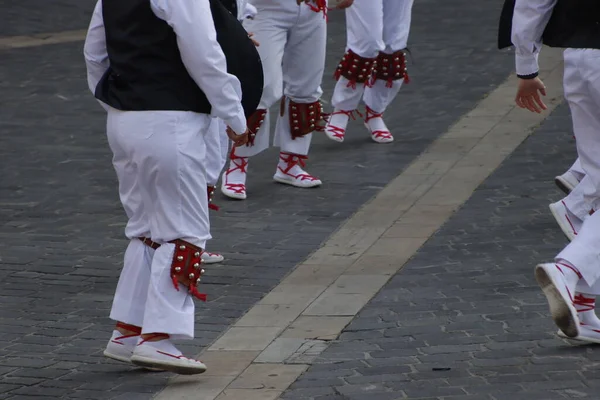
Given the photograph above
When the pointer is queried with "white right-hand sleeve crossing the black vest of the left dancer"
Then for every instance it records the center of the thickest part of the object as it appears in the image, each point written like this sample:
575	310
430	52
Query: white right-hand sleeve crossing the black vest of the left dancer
203	57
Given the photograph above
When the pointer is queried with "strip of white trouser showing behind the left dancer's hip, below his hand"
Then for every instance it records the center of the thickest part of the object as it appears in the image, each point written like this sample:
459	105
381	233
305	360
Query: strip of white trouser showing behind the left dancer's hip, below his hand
217	145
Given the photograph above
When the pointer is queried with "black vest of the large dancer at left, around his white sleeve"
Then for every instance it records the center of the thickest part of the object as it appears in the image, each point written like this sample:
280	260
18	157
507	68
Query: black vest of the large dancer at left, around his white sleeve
146	72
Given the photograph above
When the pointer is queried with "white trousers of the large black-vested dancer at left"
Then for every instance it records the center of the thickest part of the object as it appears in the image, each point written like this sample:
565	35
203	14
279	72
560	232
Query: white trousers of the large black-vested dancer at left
159	159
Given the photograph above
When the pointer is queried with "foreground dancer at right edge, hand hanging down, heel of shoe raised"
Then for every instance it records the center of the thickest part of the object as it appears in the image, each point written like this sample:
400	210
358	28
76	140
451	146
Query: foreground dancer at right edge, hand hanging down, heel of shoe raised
576	27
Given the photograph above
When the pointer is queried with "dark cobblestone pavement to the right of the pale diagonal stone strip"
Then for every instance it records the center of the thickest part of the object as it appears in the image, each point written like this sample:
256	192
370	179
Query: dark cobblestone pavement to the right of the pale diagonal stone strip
464	319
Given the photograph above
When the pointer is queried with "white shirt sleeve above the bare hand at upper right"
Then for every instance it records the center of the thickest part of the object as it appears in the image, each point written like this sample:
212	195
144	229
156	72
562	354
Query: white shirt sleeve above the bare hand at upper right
529	21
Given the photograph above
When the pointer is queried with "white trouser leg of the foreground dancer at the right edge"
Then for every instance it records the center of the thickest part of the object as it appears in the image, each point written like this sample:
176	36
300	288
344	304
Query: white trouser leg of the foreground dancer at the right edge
582	91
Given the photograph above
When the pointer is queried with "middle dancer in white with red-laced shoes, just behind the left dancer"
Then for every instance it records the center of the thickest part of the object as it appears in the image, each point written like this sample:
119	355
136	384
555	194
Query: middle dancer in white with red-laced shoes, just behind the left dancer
292	37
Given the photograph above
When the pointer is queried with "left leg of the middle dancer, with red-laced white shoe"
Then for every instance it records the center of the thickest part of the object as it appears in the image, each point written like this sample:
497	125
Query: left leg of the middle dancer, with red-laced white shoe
272	38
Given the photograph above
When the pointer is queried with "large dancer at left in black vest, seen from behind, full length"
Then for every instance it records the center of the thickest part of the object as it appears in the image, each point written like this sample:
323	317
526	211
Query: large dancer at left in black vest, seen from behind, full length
158	70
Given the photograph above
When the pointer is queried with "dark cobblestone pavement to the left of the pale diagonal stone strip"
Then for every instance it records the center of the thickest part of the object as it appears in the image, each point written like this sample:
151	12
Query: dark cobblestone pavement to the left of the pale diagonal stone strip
61	224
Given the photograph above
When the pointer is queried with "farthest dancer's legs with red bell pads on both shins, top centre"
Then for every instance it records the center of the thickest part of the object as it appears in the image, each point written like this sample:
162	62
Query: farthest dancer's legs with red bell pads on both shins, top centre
374	66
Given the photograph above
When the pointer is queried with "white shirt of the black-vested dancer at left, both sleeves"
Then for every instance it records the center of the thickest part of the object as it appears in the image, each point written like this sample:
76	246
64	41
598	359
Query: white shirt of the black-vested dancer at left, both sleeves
191	20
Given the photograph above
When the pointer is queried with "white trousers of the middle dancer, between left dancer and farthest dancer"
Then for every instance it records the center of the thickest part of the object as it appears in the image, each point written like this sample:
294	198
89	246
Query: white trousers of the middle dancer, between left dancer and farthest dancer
292	41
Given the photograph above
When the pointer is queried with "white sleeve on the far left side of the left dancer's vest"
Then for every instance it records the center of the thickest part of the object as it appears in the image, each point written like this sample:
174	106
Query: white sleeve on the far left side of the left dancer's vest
94	49
